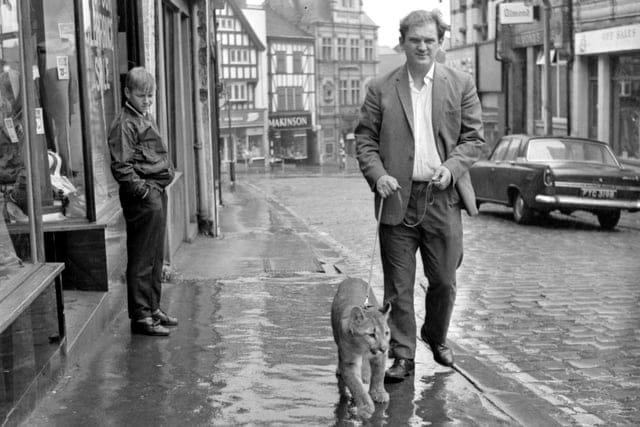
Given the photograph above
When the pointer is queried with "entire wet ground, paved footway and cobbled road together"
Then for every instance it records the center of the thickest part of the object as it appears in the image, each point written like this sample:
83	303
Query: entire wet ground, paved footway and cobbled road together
545	328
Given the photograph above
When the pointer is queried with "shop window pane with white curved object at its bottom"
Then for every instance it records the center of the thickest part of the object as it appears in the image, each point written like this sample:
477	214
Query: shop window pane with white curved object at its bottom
58	126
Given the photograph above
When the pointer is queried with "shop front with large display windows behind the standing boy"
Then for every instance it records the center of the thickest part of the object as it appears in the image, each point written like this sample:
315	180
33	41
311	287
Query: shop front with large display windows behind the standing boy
62	228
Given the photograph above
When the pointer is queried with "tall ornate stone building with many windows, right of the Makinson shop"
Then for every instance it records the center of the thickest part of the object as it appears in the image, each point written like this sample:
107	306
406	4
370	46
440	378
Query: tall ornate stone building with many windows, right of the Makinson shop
346	45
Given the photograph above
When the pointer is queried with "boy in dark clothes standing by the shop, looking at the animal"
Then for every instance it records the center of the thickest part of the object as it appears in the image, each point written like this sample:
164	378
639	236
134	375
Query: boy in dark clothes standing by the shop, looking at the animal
141	165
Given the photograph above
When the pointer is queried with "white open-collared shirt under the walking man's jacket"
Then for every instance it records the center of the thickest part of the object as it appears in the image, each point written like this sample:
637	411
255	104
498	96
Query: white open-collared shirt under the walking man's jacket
426	157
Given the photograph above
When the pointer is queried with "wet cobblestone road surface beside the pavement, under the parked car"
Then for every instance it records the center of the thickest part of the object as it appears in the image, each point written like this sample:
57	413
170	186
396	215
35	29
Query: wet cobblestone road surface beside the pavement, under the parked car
554	306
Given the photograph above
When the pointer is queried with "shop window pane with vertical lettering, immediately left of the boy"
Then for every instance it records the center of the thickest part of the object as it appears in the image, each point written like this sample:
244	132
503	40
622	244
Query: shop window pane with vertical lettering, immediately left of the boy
101	87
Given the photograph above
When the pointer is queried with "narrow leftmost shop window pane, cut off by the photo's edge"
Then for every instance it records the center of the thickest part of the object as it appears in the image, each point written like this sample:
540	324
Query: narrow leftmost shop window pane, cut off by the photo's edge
15	248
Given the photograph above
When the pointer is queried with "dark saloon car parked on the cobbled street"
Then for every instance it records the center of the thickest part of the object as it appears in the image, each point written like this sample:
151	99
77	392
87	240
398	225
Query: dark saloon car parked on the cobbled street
540	174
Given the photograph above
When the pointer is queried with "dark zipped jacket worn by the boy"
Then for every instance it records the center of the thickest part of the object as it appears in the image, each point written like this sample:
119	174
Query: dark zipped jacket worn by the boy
139	157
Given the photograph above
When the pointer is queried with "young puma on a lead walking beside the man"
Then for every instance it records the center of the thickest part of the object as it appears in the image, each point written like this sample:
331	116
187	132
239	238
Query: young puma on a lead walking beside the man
362	336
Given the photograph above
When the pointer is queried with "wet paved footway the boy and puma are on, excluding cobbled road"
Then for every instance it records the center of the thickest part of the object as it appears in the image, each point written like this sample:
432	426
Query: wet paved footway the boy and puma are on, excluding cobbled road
254	345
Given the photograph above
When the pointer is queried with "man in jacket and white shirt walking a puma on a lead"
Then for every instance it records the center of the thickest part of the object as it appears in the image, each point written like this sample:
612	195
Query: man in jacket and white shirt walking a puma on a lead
419	132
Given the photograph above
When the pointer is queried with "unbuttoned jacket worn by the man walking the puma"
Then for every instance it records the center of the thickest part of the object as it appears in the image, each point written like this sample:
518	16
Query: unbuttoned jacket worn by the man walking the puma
385	142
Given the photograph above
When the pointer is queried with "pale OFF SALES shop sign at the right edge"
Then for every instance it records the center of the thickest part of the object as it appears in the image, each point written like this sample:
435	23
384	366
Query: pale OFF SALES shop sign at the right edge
613	39
